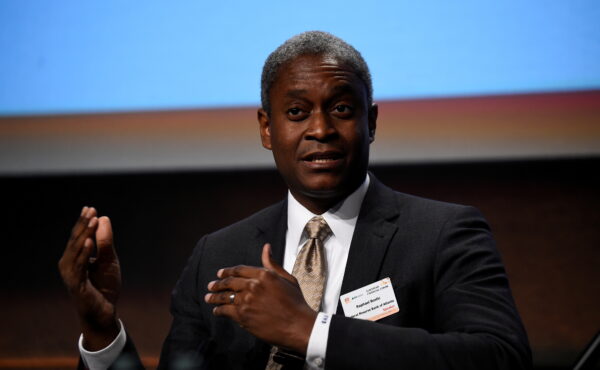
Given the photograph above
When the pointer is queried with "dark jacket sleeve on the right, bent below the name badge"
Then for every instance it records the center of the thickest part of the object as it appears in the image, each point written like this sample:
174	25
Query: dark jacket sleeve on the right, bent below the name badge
474	322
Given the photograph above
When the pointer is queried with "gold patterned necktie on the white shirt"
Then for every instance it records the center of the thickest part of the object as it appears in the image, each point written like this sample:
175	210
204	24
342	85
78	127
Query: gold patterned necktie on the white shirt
310	269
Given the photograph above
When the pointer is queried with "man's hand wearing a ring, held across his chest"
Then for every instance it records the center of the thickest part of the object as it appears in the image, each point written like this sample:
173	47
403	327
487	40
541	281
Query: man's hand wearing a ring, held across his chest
265	301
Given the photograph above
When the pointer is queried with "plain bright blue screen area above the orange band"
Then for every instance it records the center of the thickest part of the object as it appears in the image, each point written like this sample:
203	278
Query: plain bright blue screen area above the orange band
101	56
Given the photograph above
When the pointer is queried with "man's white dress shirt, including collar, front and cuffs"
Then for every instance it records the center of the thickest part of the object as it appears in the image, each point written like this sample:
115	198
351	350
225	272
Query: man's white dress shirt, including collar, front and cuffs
342	221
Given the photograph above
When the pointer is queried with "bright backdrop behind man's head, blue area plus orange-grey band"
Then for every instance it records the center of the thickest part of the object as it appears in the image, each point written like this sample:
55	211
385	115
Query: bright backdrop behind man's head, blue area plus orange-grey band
108	86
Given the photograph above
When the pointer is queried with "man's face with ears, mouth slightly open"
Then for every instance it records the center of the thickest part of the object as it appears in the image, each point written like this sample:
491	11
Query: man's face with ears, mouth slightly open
319	128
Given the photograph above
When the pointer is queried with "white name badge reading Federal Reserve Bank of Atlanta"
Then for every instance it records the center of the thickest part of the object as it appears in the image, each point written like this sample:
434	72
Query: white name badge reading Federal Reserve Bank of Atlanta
371	302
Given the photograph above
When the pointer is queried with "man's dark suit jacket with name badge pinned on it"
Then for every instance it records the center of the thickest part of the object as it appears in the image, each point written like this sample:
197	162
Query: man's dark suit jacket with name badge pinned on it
456	308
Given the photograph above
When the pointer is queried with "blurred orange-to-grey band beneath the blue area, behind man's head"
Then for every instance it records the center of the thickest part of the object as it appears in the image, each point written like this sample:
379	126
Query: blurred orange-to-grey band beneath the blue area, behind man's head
526	126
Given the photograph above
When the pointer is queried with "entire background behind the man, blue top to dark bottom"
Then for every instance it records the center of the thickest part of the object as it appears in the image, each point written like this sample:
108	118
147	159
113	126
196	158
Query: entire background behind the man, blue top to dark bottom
147	110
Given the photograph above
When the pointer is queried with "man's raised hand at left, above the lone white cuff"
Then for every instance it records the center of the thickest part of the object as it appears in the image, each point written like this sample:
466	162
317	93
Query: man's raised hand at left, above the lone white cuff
94	282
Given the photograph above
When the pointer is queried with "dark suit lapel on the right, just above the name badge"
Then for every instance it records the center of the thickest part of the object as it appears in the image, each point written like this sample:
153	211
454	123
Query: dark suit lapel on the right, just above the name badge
371	238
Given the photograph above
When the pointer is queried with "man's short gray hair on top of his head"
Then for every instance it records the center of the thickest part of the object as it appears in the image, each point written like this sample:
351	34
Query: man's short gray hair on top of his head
313	43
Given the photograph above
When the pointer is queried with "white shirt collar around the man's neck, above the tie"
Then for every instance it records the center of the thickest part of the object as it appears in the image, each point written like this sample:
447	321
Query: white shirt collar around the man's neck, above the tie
341	218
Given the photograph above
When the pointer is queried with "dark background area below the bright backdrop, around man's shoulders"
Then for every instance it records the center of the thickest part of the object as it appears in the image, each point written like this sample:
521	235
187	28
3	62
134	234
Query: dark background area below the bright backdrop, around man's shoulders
544	214
